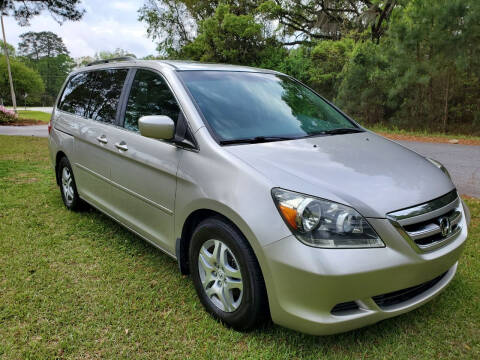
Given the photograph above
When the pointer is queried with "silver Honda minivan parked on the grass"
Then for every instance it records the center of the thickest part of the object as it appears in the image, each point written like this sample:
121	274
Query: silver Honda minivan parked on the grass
276	203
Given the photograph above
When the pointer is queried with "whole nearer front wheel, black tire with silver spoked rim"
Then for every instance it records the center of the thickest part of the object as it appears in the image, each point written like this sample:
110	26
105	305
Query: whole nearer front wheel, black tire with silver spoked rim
242	308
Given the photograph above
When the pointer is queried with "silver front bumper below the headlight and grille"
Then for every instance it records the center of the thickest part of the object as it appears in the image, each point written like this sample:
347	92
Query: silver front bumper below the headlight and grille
306	283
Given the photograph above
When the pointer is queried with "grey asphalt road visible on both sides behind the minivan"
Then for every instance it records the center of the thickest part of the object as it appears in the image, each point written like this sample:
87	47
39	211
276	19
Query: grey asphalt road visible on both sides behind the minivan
462	161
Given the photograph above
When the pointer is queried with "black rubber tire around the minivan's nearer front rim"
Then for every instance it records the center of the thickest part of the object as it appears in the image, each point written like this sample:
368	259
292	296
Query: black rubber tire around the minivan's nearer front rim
252	310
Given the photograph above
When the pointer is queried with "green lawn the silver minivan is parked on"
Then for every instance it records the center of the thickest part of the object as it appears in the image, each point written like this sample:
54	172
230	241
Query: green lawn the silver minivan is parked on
77	285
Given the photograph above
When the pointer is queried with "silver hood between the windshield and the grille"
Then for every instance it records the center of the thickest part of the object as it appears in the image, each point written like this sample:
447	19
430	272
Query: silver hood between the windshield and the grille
363	170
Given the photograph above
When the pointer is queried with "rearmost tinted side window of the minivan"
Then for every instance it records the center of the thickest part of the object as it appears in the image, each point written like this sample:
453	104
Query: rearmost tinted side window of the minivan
76	95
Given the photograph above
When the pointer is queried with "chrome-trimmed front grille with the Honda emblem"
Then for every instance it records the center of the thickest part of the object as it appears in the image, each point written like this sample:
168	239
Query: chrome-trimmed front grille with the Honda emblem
432	224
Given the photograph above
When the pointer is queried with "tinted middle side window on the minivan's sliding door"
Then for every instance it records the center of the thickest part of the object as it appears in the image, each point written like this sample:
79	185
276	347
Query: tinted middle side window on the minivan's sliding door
106	89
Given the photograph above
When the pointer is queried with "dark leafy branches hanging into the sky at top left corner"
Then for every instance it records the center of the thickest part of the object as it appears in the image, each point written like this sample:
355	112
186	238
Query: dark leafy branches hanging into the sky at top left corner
23	11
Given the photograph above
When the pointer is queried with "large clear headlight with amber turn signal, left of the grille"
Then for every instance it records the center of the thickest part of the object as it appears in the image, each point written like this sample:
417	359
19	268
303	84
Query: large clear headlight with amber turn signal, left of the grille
322	223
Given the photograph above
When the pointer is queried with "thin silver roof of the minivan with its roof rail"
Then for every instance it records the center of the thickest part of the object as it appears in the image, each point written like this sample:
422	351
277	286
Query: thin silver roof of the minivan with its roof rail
179	65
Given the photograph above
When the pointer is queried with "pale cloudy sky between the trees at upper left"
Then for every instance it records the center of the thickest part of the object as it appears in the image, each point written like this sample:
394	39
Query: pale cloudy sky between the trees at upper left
106	25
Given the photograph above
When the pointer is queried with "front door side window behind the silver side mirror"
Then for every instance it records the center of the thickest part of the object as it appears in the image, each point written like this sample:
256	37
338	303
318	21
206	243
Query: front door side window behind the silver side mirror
149	95
